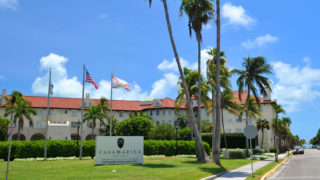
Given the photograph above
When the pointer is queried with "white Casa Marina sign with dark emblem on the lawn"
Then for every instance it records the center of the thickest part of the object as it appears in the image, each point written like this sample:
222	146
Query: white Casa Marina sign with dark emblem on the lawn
119	150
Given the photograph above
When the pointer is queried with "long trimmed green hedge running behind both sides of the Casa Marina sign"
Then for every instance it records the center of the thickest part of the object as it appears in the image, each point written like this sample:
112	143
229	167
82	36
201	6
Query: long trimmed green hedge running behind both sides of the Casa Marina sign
65	148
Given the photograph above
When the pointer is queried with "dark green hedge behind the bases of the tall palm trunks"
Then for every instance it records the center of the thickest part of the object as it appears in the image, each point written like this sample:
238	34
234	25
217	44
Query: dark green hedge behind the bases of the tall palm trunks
234	140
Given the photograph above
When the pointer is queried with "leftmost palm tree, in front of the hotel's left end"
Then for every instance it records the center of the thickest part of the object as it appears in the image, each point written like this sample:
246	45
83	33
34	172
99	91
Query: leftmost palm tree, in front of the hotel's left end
22	108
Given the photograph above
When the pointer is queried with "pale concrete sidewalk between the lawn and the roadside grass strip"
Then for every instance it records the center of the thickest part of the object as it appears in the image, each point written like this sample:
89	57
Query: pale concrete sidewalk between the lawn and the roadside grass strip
243	172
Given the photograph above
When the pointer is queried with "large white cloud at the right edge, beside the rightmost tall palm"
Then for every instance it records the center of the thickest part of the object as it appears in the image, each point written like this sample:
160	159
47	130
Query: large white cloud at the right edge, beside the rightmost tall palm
295	85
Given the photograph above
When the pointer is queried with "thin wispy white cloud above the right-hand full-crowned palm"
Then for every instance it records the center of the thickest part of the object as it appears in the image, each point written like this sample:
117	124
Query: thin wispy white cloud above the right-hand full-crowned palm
259	41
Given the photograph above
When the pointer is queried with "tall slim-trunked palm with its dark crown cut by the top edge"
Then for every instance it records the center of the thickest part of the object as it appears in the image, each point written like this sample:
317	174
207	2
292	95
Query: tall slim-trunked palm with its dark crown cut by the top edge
199	12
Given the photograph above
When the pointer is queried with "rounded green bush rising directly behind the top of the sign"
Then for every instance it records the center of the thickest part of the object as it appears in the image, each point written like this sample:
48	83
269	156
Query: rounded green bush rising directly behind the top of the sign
135	126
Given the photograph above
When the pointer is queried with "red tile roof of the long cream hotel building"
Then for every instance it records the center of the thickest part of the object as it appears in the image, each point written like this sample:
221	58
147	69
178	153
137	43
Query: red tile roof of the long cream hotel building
117	105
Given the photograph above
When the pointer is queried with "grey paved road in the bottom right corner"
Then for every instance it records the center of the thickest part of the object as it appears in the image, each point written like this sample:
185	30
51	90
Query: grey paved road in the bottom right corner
299	167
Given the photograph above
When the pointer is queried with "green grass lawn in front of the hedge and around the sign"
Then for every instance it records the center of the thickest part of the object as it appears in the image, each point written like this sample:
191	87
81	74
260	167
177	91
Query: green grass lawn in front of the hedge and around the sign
153	168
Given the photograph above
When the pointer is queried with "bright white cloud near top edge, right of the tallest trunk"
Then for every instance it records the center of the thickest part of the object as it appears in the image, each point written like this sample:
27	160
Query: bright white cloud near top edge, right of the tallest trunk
236	15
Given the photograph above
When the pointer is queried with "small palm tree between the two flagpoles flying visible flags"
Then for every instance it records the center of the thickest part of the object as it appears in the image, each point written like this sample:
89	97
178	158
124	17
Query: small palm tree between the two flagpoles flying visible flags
92	115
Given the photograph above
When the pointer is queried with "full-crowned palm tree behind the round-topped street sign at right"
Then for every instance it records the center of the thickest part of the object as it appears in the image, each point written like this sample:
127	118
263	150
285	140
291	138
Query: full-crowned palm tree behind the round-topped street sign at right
255	68
